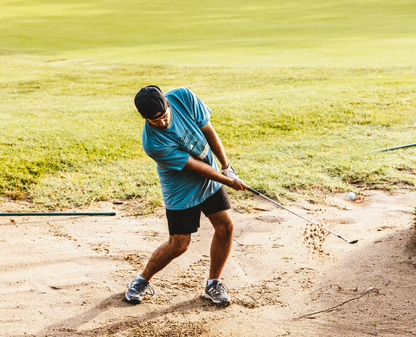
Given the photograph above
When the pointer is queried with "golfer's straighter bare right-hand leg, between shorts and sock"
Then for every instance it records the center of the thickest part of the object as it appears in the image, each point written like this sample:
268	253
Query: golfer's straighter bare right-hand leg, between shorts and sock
221	242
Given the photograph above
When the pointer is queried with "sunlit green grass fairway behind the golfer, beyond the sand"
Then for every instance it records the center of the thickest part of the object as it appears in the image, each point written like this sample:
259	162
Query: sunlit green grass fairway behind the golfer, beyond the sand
301	91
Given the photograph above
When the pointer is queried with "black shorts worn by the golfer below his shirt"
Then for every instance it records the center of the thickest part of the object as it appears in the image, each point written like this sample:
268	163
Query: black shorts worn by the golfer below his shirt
186	221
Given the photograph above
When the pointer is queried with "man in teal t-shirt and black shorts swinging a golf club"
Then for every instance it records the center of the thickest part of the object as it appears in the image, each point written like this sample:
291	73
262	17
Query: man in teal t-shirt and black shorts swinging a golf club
179	136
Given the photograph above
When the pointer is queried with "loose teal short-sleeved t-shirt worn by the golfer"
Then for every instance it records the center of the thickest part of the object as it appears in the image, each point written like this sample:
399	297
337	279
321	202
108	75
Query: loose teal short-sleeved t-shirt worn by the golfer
171	148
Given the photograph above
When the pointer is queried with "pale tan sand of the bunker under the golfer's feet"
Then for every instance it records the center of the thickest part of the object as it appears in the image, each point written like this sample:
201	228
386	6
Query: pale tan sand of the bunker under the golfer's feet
66	276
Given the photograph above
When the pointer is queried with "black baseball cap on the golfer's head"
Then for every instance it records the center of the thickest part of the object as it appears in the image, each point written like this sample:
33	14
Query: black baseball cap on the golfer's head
150	102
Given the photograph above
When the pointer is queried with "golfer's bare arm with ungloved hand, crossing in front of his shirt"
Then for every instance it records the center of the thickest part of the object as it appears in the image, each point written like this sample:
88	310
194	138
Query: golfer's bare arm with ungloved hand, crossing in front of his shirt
206	171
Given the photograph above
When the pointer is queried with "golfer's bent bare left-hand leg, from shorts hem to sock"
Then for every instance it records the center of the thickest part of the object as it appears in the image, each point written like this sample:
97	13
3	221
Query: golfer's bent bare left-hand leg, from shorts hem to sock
162	256
